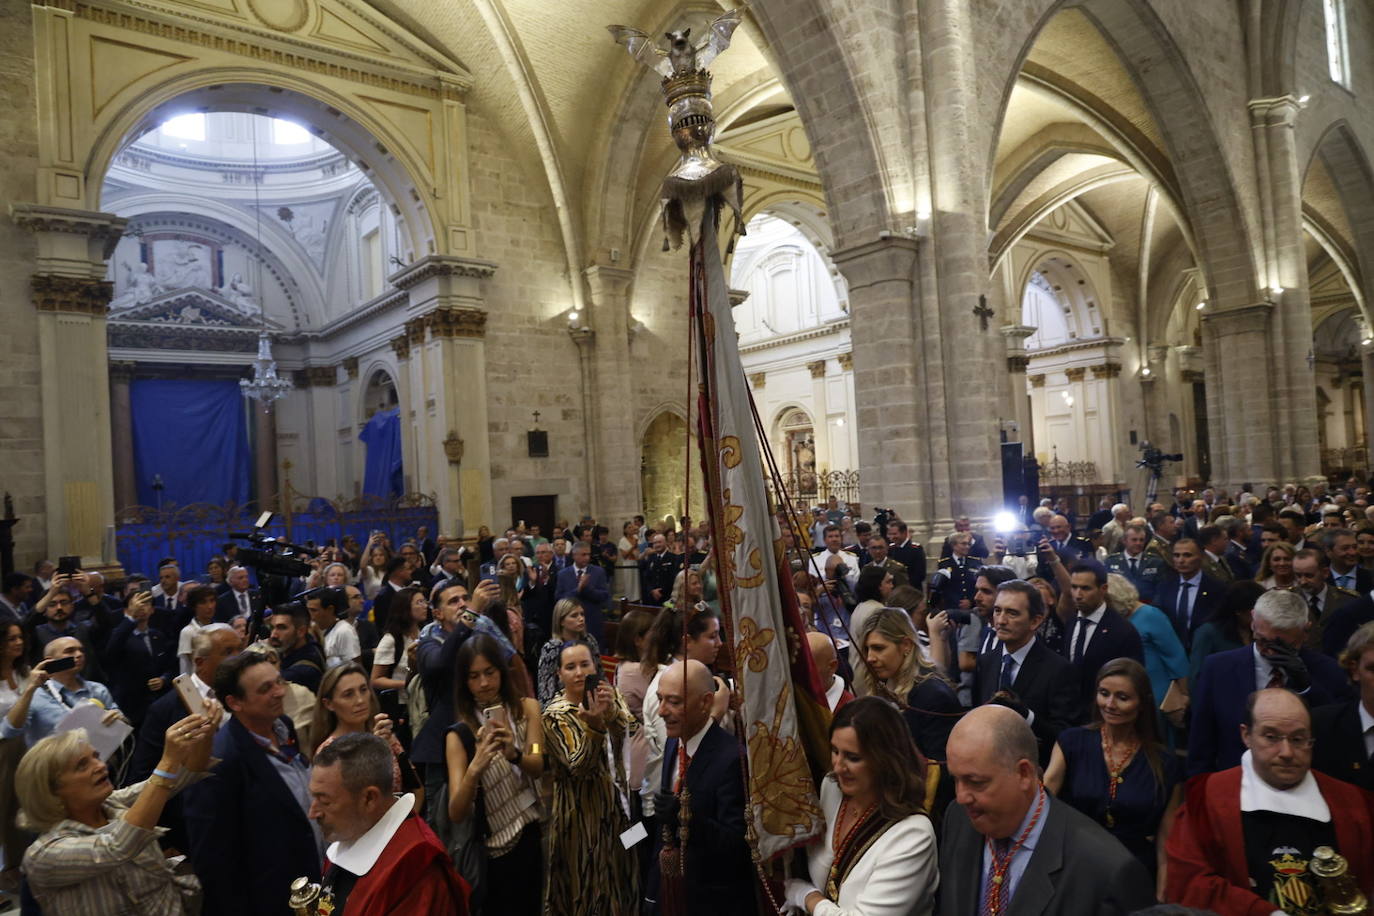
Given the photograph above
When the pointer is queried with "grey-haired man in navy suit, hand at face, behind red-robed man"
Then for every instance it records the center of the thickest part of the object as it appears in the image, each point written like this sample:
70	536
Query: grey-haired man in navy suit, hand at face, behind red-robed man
1277	659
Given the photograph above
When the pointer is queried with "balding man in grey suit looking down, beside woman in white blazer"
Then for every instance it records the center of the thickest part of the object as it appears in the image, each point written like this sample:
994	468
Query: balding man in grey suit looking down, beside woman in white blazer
1011	849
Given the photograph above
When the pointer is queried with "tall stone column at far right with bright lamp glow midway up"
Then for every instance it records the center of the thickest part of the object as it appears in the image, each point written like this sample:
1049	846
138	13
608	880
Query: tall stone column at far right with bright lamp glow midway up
1294	420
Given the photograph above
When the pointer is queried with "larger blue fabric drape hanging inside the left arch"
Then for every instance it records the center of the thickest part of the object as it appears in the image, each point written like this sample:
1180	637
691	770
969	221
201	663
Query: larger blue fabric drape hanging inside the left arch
194	435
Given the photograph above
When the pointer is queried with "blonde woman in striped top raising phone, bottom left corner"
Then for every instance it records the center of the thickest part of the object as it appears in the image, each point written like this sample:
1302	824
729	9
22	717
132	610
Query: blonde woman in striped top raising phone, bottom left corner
98	851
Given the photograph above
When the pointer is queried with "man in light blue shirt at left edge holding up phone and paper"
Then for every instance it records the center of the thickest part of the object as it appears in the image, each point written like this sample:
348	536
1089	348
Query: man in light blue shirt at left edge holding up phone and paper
56	689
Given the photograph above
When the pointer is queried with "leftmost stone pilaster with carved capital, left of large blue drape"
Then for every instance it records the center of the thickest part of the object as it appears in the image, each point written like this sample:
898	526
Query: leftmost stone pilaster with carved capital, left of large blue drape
72	297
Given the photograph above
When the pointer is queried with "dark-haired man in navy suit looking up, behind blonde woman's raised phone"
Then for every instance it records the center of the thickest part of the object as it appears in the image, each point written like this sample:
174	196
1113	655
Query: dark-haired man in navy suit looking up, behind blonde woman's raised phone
249	826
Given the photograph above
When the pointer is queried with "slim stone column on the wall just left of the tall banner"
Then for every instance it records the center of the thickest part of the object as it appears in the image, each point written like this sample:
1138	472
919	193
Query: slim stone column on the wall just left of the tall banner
618	450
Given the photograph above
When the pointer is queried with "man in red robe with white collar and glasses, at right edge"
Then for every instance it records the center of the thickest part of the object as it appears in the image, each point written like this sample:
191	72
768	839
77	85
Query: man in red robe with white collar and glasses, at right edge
1243	843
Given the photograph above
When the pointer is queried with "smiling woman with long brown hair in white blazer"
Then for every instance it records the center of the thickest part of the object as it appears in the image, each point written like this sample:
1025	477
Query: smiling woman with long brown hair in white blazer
879	854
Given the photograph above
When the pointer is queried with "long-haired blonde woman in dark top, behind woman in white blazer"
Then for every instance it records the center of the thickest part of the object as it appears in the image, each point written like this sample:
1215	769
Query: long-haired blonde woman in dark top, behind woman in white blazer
895	668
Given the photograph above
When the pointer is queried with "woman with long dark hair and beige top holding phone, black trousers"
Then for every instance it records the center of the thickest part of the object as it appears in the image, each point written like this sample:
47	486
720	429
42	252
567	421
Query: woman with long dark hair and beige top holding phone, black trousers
494	755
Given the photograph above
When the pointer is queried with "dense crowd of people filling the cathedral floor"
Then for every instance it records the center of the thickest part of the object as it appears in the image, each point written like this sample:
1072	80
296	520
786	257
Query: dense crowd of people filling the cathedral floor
1163	711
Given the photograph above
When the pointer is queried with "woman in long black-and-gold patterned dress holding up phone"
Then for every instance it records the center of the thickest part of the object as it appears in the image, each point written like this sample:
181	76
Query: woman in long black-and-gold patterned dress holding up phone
590	873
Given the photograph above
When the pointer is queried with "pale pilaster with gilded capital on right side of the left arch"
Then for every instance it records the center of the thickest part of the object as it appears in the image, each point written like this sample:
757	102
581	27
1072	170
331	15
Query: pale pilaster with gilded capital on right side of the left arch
446	392
